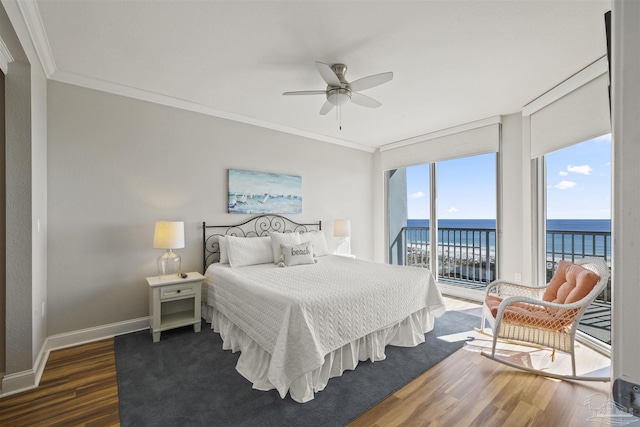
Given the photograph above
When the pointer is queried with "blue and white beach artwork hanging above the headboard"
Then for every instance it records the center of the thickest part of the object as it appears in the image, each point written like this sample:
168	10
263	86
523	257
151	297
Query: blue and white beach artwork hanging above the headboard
261	192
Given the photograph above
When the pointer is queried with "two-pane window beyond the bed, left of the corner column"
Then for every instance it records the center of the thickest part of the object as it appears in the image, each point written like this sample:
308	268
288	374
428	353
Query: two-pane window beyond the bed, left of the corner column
466	216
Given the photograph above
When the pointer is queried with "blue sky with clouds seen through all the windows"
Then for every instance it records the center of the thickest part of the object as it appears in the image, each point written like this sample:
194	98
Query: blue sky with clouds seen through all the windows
578	185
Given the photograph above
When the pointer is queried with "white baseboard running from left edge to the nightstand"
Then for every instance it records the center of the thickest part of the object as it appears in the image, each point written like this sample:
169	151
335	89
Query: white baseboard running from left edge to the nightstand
26	380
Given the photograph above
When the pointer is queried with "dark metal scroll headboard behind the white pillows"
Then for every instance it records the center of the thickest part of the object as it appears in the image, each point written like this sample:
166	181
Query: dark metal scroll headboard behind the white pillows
257	226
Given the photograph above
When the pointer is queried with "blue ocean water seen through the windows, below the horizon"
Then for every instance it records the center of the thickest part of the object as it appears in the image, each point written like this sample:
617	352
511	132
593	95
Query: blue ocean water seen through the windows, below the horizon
592	237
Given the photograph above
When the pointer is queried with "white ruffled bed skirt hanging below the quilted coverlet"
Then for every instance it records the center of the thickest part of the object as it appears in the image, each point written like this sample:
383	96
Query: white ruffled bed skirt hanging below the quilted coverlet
254	361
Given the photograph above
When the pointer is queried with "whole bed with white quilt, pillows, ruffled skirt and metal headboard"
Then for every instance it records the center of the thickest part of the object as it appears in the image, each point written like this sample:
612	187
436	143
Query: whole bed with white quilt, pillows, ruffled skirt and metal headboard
302	316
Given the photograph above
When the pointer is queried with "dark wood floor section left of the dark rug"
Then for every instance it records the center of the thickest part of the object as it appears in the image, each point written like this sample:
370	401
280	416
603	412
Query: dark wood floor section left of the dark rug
78	387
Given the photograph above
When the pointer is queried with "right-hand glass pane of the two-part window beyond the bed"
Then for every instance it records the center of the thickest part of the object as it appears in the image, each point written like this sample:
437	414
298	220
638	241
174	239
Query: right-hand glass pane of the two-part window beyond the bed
466	190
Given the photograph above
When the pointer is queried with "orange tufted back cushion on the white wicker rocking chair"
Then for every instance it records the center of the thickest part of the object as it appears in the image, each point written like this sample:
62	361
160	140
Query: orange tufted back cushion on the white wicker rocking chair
570	283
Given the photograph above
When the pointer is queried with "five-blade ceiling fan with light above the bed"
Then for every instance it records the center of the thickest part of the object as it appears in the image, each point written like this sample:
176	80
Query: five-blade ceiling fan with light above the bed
339	91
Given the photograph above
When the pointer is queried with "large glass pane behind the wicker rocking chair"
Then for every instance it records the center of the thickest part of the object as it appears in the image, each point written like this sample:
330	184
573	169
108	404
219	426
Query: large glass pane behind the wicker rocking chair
578	181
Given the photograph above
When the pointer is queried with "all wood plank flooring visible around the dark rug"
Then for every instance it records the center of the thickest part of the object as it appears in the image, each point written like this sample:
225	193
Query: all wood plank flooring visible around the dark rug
79	387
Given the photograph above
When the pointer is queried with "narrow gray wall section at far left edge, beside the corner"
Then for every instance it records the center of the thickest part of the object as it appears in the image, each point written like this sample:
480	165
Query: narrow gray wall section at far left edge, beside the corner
25	186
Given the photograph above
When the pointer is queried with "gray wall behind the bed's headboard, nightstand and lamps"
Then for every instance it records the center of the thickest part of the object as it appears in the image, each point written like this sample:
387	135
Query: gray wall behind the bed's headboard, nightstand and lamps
116	165
